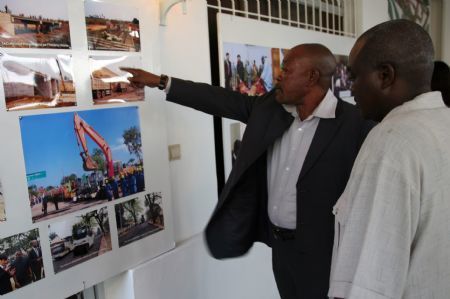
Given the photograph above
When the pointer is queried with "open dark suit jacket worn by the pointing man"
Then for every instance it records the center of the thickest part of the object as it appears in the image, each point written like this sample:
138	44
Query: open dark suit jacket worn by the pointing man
240	217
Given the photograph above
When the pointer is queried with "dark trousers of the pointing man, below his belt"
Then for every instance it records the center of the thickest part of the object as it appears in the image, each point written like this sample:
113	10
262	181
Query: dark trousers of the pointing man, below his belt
287	268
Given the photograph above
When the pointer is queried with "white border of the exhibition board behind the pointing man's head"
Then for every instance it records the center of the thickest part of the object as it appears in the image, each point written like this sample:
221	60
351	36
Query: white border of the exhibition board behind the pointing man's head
244	31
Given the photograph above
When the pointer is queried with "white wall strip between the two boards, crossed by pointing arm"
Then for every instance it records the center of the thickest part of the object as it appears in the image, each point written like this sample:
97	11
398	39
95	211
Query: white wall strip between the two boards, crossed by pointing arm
185	54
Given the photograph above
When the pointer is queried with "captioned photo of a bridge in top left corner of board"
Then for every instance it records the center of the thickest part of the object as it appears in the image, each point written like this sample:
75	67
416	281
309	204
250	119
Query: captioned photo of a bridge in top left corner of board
34	24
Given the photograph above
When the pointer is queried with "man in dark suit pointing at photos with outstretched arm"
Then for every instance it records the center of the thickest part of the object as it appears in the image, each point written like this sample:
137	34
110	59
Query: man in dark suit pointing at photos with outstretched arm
293	164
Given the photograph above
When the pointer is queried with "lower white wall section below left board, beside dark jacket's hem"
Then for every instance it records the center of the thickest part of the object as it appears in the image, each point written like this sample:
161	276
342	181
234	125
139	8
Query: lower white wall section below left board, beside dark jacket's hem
189	273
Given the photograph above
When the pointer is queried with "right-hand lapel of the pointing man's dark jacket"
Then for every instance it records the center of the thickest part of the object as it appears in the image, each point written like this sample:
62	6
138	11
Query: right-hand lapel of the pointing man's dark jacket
326	130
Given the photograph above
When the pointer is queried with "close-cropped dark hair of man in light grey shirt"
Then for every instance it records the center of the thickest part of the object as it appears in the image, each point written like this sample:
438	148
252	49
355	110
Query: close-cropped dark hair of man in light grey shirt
403	44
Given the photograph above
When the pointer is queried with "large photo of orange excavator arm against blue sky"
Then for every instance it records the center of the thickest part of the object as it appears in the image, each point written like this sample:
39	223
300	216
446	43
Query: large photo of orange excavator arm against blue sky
75	160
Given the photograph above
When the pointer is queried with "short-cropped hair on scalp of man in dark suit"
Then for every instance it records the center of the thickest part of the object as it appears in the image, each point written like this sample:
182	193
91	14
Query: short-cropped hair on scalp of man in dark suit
320	58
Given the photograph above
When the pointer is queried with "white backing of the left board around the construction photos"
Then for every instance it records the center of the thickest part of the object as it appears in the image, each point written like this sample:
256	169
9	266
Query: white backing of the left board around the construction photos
152	125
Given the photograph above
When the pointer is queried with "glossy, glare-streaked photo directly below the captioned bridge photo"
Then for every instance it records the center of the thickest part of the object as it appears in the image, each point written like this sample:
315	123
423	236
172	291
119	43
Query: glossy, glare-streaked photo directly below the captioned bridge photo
38	81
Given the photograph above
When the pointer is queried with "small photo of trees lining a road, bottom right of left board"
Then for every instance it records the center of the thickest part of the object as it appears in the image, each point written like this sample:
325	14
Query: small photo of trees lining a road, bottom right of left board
139	217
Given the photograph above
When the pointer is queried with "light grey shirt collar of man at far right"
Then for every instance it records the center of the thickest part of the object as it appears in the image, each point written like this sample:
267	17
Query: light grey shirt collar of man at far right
428	100
